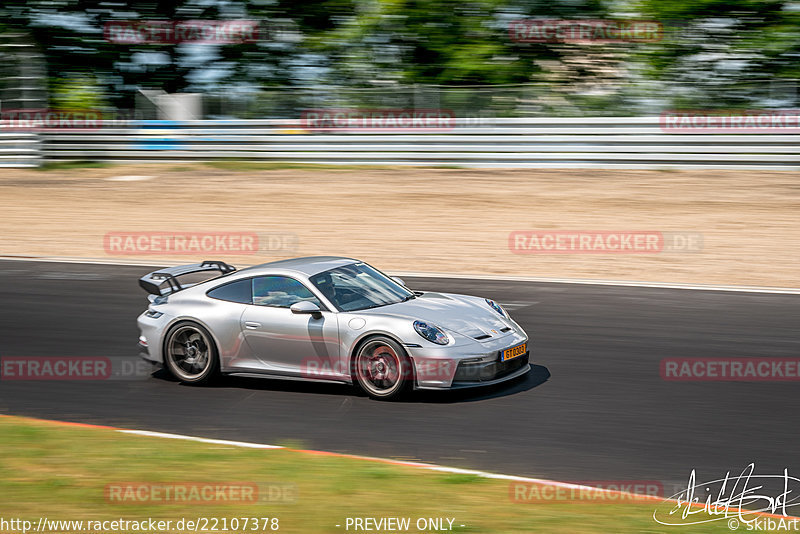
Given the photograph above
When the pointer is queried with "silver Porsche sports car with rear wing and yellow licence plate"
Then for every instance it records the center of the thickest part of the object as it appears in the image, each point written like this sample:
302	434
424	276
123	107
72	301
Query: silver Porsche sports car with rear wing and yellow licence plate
326	319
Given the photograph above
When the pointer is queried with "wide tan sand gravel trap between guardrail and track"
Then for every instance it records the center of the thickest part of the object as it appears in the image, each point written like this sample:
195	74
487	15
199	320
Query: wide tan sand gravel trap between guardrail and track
433	220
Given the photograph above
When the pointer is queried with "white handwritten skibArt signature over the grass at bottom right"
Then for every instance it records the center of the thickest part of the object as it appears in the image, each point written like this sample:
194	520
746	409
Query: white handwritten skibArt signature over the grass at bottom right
741	500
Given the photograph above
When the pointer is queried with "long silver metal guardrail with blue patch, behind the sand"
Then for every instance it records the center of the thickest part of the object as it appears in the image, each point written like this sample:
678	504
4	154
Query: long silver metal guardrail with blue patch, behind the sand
607	142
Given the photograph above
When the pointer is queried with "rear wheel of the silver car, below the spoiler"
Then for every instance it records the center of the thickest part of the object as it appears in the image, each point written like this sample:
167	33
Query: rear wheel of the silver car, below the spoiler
190	354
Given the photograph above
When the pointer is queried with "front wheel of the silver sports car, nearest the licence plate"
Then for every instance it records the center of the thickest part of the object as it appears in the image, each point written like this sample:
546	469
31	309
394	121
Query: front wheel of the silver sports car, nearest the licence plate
382	368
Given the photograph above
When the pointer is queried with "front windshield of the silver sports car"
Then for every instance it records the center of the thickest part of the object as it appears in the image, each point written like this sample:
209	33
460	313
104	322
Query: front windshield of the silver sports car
358	287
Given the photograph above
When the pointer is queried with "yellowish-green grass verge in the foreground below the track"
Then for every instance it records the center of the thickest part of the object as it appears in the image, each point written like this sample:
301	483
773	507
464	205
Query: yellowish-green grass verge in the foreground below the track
61	471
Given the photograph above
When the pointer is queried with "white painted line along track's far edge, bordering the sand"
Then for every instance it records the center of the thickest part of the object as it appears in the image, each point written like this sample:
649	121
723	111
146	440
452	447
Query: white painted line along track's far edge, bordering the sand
467	276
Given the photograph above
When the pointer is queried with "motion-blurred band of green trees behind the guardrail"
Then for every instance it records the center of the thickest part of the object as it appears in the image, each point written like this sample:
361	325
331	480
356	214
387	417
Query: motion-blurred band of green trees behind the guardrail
714	53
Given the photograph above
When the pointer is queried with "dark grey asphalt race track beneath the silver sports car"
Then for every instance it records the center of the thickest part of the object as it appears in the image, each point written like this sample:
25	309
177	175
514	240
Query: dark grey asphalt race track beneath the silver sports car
594	406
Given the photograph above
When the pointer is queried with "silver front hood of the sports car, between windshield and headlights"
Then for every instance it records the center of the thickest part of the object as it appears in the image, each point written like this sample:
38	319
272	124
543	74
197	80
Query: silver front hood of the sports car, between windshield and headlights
468	316
